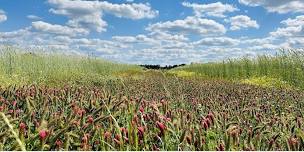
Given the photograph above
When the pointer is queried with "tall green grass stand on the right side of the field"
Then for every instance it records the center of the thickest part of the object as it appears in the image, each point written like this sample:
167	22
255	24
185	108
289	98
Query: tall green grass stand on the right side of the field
286	65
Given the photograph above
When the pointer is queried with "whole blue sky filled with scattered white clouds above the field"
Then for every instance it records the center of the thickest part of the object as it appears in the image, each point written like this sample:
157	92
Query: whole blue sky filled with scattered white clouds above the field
161	32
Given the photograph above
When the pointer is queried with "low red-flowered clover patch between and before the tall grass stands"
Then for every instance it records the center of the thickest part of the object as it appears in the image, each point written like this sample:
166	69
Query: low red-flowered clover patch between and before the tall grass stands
152	114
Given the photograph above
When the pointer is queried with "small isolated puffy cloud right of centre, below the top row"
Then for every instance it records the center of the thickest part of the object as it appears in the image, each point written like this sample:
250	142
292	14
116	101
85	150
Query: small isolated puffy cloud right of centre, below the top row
242	21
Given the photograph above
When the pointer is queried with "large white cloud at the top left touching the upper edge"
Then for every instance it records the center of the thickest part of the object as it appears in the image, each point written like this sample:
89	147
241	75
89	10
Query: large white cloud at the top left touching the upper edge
88	14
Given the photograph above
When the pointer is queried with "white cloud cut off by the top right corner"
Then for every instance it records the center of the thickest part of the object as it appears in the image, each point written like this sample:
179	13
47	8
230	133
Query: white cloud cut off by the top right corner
279	6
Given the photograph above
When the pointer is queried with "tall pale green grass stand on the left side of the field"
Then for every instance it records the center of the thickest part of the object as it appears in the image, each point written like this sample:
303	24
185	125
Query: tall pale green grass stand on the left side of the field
54	69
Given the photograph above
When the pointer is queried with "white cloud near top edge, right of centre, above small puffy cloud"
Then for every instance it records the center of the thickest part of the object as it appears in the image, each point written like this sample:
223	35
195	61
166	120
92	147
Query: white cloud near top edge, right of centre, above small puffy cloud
217	9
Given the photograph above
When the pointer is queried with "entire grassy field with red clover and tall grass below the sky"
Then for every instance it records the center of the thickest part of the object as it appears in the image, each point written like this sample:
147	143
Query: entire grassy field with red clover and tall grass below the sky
53	102
